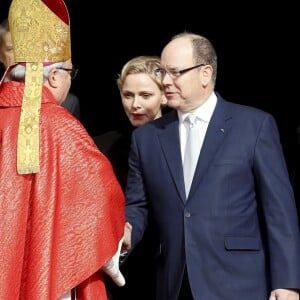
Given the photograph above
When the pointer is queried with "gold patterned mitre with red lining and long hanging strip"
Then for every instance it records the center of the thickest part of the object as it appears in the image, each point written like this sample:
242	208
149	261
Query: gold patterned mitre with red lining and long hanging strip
40	31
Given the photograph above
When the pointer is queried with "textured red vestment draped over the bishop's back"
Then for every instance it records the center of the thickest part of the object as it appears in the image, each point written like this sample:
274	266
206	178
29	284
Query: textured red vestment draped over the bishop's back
59	226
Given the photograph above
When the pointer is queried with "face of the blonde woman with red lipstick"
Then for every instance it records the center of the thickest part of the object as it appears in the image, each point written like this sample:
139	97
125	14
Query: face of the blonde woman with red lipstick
141	99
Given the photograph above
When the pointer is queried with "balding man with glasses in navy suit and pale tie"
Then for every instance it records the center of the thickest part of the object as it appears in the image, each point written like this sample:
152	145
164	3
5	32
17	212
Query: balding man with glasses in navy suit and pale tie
235	234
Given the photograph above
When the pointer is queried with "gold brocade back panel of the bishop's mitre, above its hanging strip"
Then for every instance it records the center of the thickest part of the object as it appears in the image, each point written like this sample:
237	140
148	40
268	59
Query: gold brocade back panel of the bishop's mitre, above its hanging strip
38	35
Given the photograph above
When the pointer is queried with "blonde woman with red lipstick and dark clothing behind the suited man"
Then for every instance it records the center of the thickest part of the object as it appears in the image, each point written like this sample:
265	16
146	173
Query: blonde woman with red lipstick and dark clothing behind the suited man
143	100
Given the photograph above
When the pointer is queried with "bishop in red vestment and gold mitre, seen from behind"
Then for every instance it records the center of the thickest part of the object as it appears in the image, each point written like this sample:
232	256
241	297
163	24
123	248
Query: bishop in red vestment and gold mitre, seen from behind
61	206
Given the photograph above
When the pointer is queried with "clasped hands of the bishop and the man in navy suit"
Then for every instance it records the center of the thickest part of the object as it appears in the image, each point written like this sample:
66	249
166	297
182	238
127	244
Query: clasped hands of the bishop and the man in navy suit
111	268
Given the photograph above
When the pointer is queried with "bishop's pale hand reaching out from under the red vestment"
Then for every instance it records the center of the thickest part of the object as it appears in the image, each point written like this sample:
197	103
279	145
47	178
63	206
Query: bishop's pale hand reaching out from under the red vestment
111	268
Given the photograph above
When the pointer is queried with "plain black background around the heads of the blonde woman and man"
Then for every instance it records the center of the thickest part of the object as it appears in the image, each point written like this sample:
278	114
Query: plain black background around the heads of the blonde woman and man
256	46
